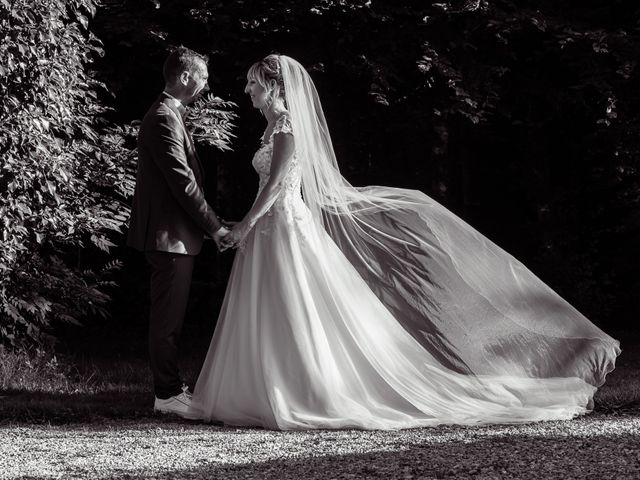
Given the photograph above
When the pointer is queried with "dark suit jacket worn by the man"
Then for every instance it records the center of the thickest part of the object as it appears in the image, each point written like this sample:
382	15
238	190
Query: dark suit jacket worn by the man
169	211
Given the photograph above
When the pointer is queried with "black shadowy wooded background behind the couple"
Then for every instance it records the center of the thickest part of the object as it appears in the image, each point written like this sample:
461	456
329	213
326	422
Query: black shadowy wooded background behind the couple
521	118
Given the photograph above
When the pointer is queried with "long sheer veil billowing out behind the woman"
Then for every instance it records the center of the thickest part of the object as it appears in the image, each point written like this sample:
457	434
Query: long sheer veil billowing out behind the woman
470	304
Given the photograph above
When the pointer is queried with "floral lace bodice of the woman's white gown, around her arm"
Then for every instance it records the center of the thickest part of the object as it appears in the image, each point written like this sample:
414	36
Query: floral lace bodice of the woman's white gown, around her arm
262	164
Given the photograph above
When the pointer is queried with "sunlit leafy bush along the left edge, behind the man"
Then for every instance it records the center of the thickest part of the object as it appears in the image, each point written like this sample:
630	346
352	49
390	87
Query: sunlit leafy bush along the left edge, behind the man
64	177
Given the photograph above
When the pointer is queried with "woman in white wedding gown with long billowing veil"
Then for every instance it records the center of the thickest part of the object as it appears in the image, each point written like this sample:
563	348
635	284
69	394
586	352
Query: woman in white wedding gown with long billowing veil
376	307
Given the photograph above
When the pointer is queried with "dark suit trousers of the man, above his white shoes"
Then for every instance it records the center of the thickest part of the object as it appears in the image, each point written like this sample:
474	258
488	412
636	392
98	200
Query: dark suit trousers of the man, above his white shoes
170	284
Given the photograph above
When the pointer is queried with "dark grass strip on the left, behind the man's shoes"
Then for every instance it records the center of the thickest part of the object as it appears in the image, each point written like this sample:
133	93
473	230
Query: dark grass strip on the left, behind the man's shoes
81	390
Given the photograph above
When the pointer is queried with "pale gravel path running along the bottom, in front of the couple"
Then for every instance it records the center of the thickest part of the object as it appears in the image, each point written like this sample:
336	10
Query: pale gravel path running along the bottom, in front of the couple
597	447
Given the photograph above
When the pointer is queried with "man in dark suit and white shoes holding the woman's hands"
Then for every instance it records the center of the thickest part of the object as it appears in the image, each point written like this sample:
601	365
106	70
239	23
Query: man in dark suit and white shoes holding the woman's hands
170	218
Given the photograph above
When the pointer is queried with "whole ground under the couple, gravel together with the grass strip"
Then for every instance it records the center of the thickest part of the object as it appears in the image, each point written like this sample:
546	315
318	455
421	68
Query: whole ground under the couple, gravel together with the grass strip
68	418
